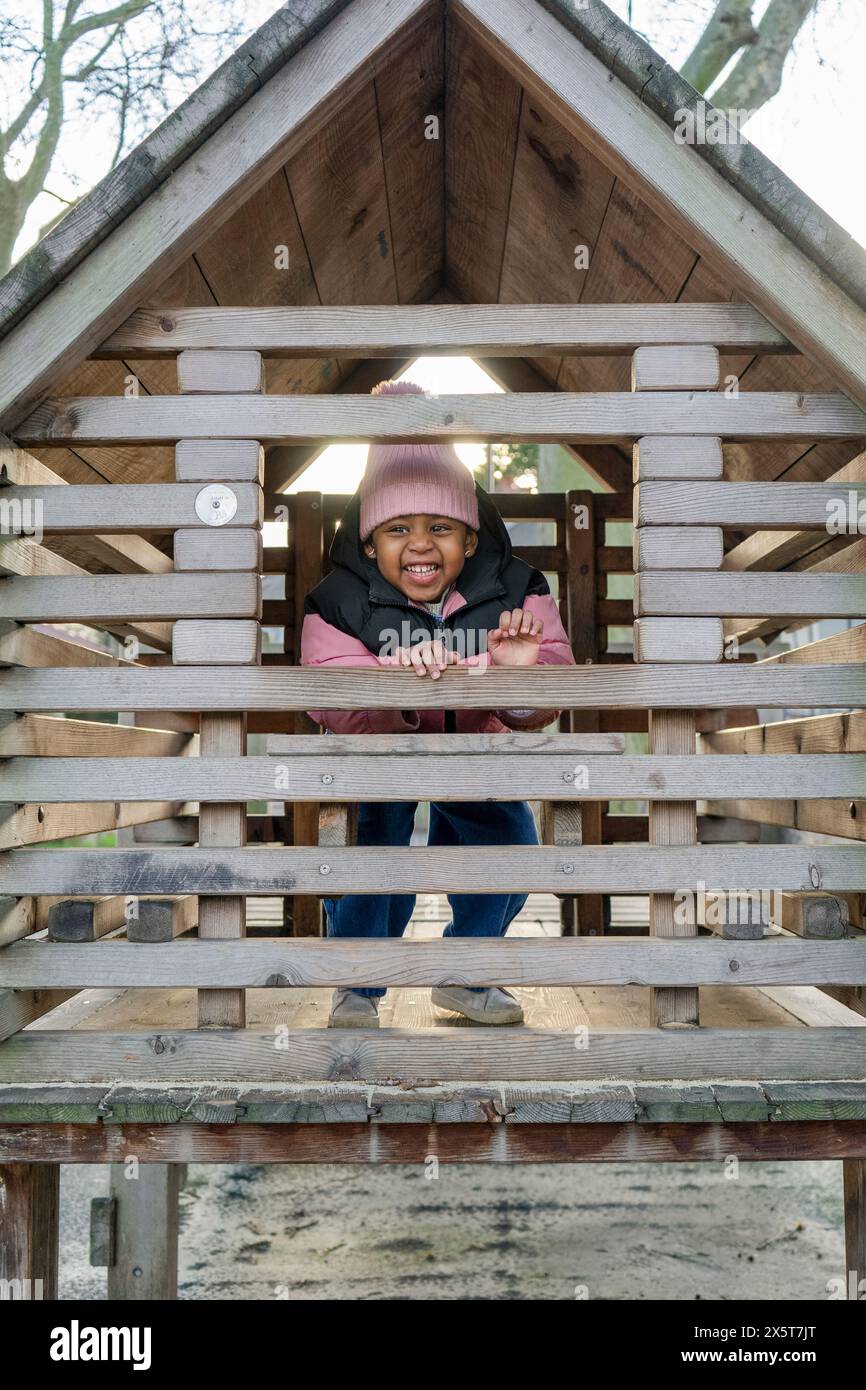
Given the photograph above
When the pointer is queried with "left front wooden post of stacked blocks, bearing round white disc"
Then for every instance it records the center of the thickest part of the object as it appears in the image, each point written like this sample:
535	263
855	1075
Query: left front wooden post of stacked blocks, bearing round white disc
218	466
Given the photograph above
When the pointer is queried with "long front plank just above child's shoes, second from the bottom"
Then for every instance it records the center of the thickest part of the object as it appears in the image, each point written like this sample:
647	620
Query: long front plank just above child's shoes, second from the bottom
309	964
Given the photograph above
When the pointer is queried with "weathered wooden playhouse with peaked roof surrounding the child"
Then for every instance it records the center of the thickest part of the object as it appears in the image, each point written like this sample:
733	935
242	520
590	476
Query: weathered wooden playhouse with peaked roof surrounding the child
368	181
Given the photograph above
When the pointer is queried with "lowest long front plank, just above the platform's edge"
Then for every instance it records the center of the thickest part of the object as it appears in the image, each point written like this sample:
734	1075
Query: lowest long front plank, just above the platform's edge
437	1054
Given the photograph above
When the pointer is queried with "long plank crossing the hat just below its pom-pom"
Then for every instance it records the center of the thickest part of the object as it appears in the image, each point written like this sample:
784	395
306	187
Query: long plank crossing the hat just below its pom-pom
605	418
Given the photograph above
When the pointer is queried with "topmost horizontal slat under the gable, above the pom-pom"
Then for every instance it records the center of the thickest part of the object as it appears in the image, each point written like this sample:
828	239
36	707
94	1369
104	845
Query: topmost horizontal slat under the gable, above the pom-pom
414	330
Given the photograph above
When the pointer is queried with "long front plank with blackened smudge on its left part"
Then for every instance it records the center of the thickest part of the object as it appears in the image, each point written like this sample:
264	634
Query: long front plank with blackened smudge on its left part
372	869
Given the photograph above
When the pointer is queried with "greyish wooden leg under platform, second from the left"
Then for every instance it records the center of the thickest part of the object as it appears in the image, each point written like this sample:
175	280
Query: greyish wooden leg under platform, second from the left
147	1232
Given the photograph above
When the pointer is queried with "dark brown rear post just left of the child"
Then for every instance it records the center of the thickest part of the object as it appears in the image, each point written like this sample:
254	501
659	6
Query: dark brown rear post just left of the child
308	547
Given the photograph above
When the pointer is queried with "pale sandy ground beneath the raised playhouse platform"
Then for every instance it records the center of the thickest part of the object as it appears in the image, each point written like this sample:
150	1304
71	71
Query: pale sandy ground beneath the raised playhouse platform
498	1232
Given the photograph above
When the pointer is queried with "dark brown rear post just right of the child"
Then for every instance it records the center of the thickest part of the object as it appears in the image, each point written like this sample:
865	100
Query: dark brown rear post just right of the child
582	594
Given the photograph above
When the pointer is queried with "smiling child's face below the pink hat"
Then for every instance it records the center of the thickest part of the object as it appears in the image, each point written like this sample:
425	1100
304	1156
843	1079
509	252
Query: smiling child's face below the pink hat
422	555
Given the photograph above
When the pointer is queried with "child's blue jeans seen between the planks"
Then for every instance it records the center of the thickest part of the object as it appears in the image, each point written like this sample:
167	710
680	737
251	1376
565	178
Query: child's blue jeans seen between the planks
451	824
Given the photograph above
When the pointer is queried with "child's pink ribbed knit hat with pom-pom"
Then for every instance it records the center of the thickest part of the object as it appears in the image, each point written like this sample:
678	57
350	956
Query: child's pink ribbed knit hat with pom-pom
405	479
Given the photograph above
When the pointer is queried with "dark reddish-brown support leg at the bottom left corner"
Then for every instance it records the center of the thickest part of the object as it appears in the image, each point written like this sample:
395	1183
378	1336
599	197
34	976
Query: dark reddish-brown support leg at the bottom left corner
30	1223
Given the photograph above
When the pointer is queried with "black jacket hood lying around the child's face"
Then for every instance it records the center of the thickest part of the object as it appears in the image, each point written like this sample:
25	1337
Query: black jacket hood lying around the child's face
482	575
